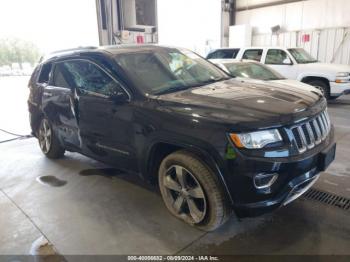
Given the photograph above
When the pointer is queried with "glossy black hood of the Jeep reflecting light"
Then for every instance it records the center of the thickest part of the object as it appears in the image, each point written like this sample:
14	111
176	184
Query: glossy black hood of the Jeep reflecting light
244	104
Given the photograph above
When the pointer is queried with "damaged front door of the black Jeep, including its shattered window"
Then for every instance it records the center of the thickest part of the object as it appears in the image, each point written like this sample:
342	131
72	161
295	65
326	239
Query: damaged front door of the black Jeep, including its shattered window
105	115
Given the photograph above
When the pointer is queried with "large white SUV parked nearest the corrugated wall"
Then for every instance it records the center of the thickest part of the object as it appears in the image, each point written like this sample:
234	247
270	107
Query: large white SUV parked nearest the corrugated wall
294	63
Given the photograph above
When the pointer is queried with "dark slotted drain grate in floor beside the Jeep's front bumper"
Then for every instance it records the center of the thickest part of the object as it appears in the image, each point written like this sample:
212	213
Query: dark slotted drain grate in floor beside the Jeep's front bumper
328	198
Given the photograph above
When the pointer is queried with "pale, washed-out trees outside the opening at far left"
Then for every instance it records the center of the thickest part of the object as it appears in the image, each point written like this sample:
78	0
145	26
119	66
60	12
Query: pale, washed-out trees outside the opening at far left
14	50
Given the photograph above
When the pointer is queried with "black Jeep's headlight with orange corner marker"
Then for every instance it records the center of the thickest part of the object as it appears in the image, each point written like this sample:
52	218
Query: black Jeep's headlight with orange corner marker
255	140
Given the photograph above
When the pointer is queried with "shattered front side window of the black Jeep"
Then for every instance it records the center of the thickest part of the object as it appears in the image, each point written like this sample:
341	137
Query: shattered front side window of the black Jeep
87	76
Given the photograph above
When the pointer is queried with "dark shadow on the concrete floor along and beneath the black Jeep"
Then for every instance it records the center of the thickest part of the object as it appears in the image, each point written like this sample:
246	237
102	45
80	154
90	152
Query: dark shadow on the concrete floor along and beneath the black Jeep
283	231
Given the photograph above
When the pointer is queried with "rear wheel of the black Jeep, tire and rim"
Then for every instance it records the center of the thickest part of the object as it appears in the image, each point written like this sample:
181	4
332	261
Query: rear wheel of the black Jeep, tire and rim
48	142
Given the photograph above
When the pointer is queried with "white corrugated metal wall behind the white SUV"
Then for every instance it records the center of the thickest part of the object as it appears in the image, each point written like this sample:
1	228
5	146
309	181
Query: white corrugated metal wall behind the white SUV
327	45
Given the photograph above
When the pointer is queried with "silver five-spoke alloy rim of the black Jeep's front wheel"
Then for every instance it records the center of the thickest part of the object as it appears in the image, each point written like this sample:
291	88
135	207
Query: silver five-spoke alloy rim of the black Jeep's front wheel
184	194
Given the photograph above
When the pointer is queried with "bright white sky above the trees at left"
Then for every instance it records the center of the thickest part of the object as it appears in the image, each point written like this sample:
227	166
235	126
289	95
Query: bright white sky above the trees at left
50	24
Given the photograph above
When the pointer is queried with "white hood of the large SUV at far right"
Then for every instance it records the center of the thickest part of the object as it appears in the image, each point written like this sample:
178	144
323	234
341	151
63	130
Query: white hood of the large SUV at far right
326	68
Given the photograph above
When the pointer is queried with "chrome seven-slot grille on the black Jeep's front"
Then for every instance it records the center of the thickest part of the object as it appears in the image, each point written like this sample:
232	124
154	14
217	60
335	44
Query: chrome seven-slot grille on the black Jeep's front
311	133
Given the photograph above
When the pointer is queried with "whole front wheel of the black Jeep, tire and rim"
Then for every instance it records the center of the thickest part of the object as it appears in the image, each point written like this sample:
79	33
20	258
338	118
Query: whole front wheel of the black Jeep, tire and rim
185	181
